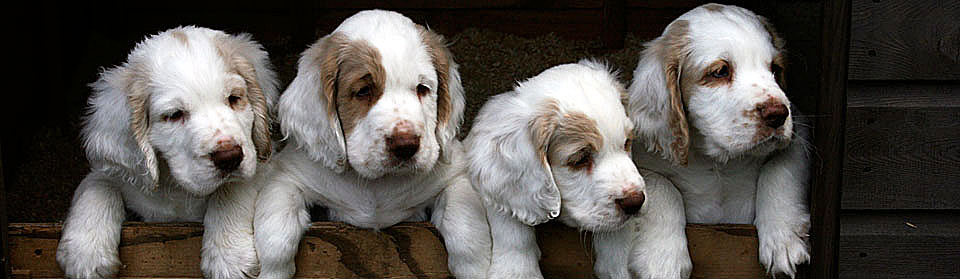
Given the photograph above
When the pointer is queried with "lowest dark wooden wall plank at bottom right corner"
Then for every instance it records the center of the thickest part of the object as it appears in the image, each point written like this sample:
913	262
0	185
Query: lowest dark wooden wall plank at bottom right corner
900	245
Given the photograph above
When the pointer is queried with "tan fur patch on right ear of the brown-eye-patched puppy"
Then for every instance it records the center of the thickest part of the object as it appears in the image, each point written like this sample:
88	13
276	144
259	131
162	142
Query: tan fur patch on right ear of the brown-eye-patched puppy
441	58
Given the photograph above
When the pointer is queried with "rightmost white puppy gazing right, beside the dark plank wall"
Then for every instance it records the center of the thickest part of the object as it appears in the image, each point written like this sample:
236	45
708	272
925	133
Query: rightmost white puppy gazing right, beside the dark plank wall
713	119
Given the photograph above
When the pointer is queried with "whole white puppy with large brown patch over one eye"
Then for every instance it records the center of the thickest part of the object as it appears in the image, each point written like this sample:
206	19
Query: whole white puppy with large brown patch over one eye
371	118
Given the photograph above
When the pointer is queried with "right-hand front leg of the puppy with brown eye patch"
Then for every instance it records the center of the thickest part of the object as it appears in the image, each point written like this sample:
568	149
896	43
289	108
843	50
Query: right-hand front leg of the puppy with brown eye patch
461	219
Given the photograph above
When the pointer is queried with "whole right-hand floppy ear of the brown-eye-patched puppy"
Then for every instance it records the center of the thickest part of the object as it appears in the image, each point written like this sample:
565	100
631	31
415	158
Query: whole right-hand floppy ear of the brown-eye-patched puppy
450	95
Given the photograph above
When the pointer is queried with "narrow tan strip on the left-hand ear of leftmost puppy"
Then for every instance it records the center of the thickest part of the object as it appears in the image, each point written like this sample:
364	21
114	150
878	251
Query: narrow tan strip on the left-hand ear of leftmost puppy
137	97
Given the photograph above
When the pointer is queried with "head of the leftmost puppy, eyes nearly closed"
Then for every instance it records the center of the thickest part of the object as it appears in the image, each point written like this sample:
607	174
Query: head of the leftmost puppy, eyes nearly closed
197	99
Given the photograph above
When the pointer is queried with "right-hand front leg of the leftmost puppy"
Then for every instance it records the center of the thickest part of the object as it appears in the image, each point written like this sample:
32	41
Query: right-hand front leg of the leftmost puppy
228	243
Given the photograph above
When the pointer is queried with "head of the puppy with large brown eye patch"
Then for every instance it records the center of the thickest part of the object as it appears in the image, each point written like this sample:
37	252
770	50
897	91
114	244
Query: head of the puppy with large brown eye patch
380	93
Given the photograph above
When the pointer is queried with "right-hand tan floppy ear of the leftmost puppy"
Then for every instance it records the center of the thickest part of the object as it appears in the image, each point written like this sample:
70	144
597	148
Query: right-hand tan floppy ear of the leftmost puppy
250	61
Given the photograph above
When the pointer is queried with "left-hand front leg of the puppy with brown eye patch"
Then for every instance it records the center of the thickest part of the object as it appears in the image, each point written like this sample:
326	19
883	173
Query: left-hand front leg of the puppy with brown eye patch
281	219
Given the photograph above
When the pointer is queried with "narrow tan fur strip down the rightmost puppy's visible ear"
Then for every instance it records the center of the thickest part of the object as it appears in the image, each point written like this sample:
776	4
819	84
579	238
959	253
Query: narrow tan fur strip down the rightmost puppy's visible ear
676	43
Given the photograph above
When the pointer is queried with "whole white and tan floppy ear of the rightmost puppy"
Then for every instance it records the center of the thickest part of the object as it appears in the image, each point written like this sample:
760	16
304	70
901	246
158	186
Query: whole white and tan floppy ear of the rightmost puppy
656	102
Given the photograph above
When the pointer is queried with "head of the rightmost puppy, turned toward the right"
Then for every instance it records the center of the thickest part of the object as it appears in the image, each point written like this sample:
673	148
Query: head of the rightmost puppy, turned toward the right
719	69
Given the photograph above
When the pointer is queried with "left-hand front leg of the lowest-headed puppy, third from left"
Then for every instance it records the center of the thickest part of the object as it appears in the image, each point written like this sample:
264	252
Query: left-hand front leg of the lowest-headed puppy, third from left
515	250
